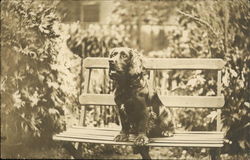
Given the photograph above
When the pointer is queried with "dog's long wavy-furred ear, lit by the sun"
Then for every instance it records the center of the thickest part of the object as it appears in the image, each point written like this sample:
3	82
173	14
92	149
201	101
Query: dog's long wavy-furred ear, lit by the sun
136	63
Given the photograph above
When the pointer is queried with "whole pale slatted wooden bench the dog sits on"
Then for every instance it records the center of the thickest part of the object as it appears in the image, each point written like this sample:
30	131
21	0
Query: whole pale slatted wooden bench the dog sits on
206	139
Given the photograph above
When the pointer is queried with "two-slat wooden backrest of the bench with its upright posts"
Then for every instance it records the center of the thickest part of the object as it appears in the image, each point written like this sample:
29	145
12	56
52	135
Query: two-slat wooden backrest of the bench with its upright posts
161	64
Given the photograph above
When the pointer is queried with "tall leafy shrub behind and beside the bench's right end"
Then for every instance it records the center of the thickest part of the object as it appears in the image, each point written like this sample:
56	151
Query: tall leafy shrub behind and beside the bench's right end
234	49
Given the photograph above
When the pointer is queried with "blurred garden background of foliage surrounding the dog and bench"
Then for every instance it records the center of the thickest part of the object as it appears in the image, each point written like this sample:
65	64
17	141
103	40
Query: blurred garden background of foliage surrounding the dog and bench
43	44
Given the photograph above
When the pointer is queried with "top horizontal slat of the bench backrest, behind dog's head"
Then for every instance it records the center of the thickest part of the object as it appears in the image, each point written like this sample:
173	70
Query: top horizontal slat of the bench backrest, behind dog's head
163	63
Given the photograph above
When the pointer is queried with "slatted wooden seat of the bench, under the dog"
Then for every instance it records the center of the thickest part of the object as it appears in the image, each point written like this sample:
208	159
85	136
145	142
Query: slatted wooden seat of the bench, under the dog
106	136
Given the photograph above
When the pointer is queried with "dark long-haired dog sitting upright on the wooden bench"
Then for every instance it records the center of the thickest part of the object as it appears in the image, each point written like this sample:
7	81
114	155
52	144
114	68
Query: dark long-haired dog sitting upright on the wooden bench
139	105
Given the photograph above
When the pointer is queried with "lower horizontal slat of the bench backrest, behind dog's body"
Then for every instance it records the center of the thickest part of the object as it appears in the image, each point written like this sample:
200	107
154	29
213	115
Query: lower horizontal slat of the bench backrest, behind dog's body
169	101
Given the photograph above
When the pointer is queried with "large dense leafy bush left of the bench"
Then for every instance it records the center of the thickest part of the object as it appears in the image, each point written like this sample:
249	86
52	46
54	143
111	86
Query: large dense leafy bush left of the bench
31	97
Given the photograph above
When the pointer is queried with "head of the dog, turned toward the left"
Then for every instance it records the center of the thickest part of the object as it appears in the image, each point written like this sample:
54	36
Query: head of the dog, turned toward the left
124	62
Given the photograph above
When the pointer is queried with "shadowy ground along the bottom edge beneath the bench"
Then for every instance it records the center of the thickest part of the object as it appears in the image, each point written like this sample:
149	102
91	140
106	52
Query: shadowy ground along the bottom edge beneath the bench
156	153
